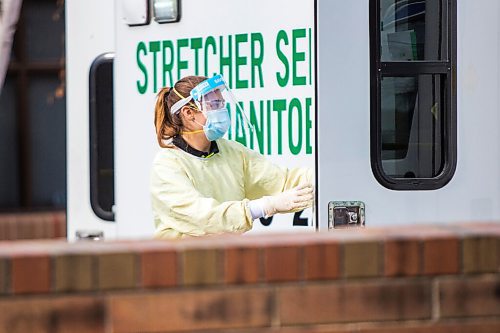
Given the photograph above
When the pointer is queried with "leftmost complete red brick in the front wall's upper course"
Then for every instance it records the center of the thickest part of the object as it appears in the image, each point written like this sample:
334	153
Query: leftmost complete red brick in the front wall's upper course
30	274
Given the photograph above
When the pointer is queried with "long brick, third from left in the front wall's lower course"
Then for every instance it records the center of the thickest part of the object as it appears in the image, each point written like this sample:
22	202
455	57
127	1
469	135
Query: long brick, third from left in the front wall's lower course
355	301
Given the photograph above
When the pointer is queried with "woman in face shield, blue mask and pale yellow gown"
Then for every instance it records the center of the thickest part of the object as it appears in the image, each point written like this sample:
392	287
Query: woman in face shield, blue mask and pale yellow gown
203	184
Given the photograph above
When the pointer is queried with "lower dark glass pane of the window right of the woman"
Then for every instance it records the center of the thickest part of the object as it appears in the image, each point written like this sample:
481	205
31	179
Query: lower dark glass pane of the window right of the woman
411	125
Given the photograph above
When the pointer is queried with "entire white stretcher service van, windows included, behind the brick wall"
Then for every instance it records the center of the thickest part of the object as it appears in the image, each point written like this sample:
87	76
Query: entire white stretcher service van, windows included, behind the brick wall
395	103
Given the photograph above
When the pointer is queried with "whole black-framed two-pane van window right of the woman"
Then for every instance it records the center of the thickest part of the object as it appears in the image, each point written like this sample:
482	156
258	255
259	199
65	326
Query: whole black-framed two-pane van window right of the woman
413	107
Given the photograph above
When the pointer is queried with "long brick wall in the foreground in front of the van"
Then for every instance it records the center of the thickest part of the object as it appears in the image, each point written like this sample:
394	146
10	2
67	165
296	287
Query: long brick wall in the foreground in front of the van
418	279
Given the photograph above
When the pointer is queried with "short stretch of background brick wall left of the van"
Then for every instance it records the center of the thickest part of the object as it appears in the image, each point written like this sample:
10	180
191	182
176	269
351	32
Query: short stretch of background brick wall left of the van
35	225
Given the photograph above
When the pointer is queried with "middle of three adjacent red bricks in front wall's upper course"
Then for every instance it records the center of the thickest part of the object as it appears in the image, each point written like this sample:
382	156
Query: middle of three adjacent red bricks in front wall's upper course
282	263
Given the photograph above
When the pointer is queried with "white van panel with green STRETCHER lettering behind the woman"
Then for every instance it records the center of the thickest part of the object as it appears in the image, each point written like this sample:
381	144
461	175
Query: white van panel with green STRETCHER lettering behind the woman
257	45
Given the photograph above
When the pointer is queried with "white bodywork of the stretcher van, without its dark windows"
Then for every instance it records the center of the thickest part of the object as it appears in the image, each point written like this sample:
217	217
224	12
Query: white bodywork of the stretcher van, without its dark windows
302	70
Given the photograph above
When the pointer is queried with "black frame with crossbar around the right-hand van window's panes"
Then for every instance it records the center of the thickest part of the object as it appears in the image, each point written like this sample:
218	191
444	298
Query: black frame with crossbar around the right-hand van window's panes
380	69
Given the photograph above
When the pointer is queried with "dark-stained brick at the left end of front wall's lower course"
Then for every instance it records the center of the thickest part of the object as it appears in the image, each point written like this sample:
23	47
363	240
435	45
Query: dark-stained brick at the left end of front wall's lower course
73	314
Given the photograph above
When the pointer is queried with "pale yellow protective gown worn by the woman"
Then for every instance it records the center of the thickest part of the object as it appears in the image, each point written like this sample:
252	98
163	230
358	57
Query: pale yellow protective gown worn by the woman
193	196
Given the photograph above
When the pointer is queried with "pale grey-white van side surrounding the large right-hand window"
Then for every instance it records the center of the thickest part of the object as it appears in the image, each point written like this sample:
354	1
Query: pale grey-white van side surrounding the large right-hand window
345	173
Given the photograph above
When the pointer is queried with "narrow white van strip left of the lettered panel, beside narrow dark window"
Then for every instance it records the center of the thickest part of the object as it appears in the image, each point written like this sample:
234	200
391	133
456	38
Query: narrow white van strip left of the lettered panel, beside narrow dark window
89	33
